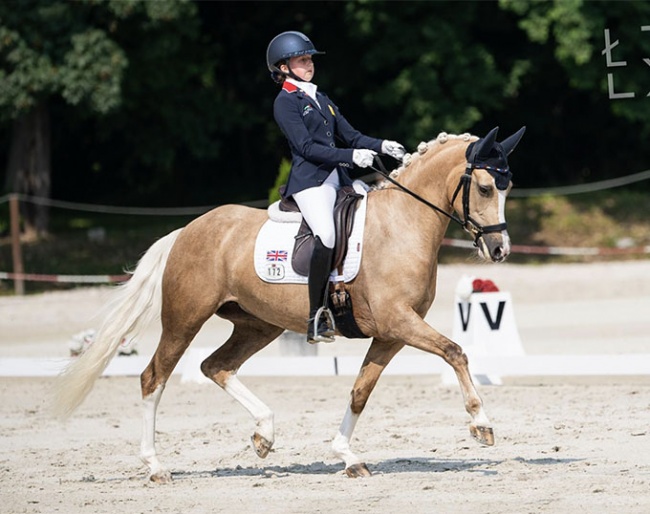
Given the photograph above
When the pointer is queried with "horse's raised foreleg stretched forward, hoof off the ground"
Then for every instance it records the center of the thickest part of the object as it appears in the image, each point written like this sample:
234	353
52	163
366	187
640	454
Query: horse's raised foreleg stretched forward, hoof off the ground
426	338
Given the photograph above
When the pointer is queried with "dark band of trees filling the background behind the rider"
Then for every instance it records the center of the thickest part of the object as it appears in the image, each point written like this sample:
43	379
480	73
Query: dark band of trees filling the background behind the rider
192	124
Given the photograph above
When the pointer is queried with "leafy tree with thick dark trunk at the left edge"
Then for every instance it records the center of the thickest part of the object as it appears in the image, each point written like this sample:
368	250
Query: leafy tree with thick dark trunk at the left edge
71	51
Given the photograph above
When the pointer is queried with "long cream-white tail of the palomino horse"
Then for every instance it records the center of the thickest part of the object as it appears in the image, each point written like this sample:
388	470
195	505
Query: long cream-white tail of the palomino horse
134	305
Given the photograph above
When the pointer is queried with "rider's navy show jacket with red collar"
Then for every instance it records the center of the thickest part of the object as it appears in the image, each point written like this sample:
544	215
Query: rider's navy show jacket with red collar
312	133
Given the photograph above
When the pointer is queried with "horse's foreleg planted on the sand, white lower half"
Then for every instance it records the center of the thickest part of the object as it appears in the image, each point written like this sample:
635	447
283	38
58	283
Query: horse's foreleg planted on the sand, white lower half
377	358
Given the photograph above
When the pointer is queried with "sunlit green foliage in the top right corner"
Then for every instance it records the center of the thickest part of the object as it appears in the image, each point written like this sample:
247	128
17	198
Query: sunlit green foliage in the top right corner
576	31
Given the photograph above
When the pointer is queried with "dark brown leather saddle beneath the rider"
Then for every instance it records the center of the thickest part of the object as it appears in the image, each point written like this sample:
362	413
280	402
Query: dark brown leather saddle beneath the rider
344	212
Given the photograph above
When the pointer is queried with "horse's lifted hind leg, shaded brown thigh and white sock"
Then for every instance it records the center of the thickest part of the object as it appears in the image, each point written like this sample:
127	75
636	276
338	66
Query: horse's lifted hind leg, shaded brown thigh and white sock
249	336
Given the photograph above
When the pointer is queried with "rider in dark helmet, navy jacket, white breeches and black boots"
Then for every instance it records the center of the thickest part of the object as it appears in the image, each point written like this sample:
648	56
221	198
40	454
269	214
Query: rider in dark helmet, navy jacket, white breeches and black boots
314	125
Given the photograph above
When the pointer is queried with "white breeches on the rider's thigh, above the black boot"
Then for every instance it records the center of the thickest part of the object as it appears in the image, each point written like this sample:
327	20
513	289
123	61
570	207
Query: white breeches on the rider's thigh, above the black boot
317	207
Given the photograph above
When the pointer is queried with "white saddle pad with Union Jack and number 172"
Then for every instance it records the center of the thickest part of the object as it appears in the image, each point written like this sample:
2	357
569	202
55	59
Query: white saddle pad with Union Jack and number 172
276	239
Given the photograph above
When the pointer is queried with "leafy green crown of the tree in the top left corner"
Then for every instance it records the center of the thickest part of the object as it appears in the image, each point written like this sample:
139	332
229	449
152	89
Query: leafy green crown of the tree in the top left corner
49	48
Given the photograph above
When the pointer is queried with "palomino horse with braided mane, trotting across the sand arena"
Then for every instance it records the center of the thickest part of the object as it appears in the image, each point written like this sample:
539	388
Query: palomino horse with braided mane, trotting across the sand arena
207	268
